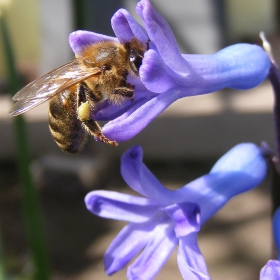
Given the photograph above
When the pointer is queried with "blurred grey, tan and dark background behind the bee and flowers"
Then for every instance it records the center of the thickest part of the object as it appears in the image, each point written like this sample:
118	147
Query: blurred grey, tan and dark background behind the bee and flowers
237	241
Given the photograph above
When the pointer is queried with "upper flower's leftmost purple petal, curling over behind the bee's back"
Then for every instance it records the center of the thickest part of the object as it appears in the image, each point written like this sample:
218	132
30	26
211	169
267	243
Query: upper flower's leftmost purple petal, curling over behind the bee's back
81	38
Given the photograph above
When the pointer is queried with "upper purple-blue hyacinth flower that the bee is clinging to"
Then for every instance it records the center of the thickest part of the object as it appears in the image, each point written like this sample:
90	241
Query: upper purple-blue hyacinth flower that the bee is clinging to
165	74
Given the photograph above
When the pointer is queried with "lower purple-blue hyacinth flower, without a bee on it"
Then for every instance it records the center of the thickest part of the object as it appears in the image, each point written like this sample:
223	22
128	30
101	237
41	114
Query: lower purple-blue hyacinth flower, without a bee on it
163	218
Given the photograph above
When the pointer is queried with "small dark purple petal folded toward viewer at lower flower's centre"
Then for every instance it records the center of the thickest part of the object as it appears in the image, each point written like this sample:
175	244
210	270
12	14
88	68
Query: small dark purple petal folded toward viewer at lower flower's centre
186	218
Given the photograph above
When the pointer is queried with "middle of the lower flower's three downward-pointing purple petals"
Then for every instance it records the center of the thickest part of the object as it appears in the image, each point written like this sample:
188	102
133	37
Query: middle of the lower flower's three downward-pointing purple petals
155	254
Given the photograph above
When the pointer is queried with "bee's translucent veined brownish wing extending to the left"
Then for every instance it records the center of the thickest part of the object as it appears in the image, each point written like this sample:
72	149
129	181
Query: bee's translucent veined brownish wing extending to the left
45	87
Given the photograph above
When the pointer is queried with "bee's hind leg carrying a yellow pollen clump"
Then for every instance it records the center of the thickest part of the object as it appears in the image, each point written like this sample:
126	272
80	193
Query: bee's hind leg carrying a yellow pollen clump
84	115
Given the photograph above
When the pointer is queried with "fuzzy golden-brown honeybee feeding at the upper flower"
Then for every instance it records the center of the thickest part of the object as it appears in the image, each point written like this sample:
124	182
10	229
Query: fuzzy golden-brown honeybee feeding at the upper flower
98	73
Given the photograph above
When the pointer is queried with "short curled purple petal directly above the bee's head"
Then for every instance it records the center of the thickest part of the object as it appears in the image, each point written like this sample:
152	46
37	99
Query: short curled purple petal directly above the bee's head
126	27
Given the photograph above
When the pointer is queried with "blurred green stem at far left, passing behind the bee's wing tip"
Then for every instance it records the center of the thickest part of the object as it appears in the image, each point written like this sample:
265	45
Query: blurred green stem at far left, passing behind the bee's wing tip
30	202
